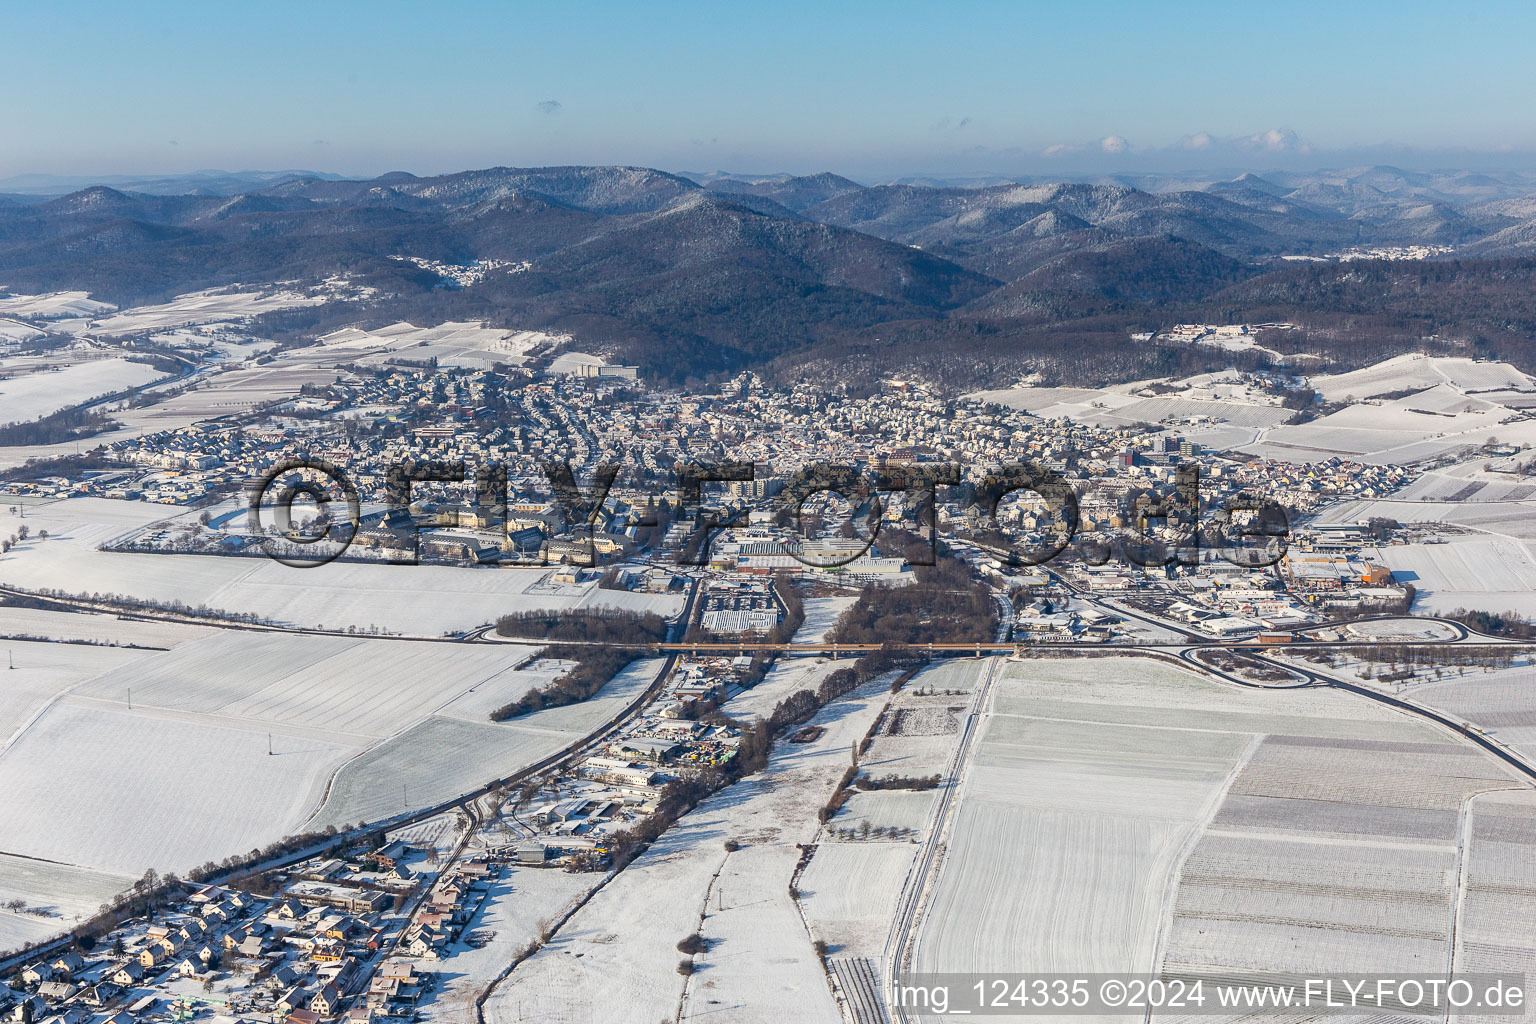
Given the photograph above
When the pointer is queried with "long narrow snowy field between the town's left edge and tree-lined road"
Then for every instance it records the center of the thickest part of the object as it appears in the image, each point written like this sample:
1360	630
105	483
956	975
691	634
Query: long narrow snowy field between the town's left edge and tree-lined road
419	601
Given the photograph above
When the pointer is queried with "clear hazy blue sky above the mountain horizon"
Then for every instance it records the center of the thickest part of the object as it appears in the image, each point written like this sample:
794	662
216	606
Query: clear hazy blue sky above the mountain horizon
870	90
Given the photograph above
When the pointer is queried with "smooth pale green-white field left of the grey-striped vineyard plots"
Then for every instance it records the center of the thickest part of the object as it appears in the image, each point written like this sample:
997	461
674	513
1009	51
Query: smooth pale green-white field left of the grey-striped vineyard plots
1091	816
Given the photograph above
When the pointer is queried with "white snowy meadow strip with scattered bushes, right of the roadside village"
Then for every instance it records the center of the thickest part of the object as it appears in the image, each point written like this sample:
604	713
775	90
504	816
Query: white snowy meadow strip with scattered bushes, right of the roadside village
620	951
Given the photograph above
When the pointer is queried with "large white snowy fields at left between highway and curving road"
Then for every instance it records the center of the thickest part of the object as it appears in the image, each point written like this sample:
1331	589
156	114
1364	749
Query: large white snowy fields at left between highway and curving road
159	759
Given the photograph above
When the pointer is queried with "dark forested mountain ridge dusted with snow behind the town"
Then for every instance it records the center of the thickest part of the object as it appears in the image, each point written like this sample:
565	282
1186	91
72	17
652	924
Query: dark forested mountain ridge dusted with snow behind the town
690	276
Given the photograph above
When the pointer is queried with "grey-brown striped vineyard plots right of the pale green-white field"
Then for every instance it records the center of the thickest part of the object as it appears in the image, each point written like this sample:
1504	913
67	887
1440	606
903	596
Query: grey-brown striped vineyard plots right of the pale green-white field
1331	854
